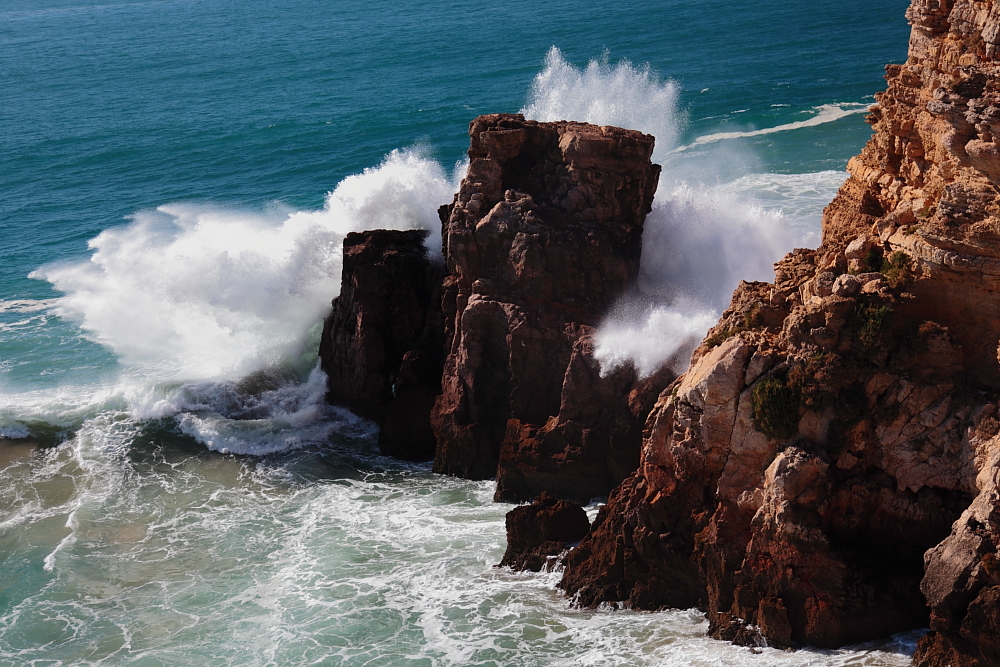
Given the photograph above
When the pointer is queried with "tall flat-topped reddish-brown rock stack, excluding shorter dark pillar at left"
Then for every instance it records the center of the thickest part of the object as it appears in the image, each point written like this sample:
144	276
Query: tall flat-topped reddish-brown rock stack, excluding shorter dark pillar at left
542	238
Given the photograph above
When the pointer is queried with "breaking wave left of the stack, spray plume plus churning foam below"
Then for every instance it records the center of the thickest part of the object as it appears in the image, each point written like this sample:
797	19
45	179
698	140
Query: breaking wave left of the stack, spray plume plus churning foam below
214	313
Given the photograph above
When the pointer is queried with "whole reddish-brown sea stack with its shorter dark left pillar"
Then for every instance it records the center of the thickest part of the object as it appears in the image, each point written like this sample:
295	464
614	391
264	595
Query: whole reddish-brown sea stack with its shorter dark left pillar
543	237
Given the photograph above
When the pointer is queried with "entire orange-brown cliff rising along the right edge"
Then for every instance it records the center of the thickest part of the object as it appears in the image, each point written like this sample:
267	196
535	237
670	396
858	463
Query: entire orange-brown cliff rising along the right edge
826	470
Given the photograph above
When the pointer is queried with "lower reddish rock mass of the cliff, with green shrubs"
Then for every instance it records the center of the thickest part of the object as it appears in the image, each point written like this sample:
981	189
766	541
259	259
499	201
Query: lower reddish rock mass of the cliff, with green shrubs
796	515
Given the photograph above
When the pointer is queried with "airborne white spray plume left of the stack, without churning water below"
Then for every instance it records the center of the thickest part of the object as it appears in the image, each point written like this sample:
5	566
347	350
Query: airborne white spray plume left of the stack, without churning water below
195	292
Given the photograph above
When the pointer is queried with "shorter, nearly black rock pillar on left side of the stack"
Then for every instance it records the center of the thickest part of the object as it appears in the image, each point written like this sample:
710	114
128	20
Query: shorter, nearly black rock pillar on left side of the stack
382	347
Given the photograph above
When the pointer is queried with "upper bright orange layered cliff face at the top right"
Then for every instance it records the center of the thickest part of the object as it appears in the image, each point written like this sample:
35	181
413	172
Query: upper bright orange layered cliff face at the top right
929	175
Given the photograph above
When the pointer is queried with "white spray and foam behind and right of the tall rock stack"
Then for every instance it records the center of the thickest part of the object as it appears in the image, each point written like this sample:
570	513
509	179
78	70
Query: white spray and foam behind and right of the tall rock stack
704	233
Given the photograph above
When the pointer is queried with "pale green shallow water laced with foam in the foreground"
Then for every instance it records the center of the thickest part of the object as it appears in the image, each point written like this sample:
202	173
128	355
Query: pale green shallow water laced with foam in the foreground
145	549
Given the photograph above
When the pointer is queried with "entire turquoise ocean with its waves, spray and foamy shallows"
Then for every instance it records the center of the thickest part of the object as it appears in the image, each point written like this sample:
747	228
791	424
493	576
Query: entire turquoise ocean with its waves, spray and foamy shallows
176	178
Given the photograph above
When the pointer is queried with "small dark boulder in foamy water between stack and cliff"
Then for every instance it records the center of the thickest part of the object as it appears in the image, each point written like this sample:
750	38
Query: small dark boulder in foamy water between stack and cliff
539	532
